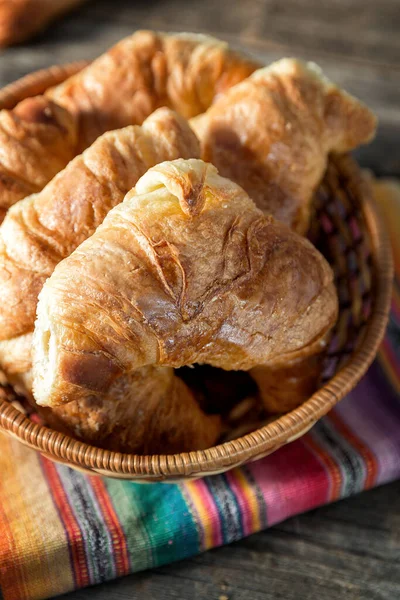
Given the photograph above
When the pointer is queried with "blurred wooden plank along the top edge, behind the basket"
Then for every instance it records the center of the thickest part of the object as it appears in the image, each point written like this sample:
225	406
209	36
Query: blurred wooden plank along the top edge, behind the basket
360	29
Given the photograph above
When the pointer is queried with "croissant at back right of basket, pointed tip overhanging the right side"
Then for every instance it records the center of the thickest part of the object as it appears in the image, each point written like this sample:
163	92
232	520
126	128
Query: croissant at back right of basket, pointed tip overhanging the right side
273	132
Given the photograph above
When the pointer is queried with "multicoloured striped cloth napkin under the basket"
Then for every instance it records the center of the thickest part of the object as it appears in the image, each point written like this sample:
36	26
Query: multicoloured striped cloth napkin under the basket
61	530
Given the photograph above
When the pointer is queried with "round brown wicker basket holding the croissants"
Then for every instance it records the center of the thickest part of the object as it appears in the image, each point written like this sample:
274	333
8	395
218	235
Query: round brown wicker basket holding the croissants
348	230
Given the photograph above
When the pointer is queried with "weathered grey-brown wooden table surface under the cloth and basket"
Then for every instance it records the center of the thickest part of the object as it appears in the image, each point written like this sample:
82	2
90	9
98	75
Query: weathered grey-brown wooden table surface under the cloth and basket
350	549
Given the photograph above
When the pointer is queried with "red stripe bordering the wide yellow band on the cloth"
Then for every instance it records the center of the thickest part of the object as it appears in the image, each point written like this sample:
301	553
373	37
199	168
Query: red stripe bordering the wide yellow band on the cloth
71	525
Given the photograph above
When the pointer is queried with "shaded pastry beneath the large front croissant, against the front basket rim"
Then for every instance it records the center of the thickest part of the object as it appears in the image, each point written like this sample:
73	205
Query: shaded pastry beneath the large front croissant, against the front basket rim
150	411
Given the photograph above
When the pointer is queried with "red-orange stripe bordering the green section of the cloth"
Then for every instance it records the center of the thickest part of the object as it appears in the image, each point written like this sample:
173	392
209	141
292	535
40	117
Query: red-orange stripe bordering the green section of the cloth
120	549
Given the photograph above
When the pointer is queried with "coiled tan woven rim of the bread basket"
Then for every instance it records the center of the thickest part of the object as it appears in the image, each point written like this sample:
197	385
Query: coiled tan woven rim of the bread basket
231	453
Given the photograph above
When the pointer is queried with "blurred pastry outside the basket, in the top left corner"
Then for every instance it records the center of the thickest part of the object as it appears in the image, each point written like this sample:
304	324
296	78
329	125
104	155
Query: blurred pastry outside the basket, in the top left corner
19	19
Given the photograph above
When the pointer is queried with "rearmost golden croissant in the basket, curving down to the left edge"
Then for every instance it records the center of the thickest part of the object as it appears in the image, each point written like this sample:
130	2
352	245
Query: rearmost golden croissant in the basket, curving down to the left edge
149	70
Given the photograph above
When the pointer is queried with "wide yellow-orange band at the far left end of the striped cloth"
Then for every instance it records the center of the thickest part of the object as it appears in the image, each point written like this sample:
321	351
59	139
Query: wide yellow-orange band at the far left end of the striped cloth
37	564
